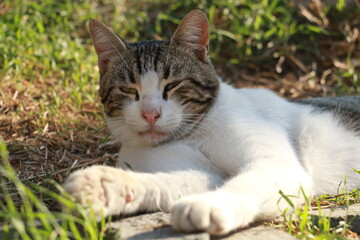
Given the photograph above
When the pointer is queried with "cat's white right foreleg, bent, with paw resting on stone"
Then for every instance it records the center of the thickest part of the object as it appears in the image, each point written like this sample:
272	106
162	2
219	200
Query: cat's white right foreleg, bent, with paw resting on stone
252	195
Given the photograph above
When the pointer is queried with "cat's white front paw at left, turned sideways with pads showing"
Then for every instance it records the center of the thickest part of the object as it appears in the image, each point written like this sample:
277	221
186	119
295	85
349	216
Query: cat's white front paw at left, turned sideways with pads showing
105	190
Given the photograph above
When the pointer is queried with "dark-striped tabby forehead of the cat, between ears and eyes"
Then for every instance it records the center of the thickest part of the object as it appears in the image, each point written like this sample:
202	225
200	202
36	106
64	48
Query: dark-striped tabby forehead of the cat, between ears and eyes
152	62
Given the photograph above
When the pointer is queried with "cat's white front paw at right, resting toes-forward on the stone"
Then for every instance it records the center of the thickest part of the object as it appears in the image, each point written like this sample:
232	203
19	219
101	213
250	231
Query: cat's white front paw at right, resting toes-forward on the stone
211	212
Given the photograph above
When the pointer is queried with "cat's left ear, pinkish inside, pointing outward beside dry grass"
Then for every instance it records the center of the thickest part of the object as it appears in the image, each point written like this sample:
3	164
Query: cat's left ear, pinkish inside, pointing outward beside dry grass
106	43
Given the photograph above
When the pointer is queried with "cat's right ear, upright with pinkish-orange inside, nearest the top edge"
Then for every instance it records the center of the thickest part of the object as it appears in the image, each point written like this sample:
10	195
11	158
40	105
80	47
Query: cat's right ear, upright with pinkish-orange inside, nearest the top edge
193	32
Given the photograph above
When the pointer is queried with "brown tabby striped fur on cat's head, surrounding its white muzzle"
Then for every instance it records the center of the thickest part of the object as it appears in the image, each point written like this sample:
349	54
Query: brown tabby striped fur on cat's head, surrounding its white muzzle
171	62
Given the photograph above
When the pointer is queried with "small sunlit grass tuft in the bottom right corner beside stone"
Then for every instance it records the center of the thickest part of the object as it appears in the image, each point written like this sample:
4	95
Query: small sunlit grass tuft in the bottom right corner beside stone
301	221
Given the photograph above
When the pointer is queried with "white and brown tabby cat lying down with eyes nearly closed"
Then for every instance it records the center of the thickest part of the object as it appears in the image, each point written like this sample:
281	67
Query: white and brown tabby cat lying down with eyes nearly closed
213	156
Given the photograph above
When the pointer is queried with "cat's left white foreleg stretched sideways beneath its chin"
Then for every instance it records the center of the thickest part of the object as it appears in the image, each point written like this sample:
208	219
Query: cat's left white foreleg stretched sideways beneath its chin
115	191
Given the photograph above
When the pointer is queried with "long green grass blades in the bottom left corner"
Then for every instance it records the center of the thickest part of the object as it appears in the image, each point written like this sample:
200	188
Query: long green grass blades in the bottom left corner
33	219
